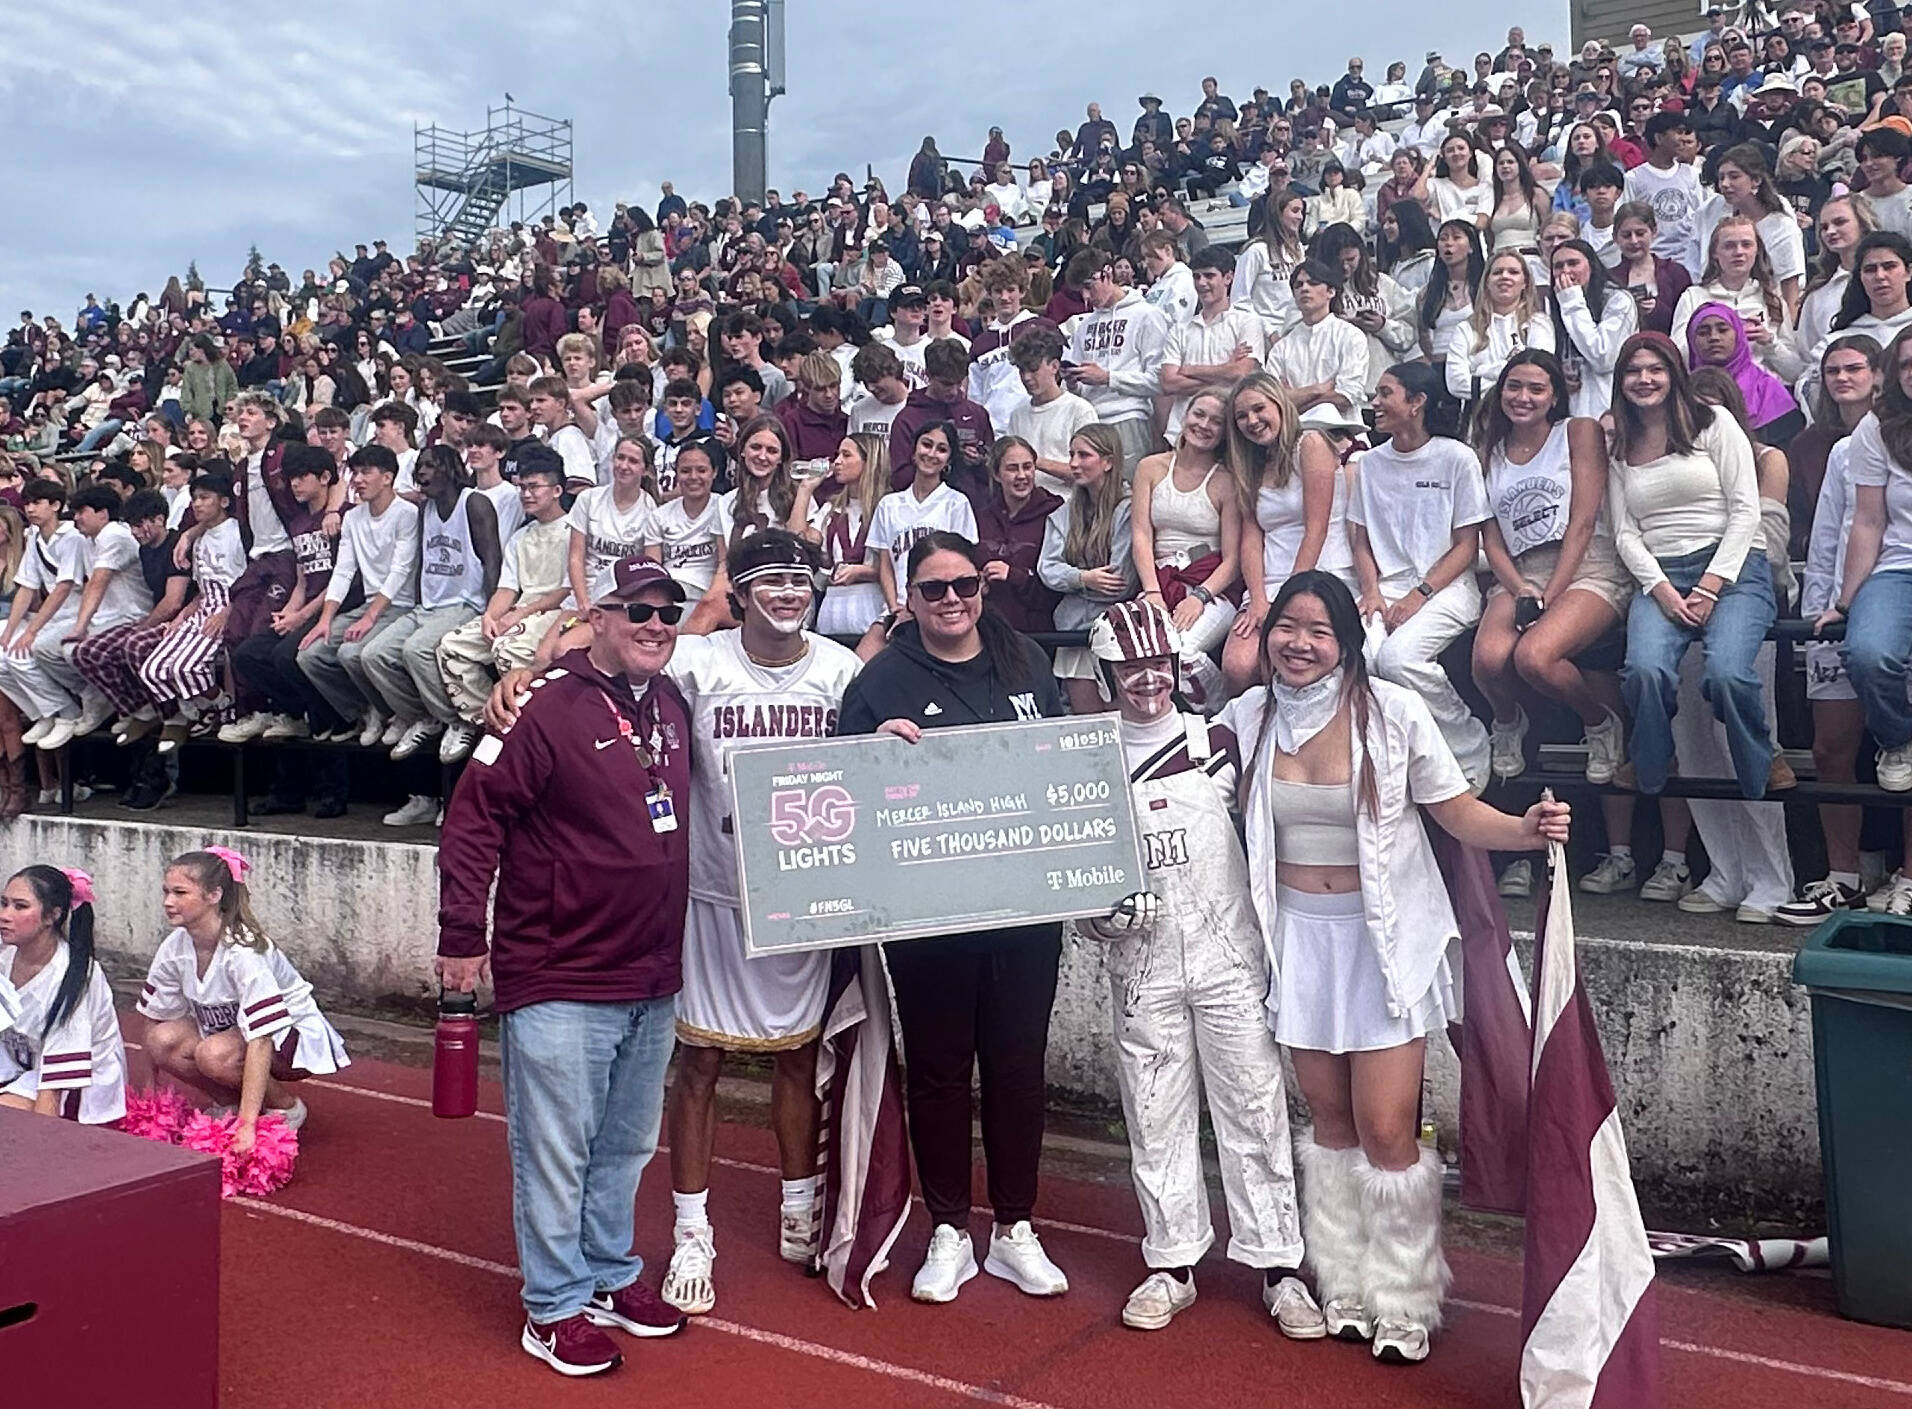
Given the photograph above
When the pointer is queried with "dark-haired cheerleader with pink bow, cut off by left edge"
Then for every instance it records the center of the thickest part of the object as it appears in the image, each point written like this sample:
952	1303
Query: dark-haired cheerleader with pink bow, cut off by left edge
62	1054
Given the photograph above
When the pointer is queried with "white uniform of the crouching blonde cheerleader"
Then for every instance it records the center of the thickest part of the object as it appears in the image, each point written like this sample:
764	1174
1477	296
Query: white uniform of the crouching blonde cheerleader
259	993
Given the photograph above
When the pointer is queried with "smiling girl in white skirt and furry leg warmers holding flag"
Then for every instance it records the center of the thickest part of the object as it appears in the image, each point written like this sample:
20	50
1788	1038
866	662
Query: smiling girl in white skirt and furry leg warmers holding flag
1357	922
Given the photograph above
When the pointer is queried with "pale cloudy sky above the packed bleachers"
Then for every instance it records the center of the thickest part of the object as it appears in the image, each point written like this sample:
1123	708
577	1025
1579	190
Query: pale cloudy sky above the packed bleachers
142	139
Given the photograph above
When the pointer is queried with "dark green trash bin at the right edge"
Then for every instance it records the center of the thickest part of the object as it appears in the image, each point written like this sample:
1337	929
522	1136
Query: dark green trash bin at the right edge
1859	970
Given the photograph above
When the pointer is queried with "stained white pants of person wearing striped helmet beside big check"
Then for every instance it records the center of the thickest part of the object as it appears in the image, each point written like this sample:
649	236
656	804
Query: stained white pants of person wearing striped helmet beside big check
1188	1018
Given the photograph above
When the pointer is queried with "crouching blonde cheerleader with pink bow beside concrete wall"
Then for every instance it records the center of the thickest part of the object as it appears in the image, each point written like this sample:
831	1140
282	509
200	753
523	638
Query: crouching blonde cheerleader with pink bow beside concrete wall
227	1012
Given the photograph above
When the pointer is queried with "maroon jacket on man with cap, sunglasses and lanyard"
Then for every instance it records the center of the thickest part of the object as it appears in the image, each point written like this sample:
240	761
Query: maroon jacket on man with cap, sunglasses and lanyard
590	898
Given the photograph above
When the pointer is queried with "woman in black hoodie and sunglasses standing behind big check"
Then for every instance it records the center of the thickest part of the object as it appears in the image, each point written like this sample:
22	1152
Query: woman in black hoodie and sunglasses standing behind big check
982	997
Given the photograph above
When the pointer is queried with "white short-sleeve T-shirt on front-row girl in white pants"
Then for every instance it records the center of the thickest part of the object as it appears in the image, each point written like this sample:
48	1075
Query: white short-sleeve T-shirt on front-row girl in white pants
1412	504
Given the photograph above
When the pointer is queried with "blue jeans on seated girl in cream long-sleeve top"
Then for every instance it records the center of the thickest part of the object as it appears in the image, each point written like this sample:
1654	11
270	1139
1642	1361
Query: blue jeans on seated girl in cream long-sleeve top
1729	682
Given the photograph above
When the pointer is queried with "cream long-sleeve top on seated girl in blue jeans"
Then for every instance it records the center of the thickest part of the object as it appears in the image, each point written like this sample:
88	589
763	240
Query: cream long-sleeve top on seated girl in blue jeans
1687	504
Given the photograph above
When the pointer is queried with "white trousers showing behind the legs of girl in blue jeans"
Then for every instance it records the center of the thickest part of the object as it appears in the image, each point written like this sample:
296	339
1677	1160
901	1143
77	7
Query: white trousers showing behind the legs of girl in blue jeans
1747	842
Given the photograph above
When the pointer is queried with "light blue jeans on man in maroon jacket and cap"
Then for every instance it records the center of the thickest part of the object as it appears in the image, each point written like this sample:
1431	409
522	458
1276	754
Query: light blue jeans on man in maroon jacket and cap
584	1102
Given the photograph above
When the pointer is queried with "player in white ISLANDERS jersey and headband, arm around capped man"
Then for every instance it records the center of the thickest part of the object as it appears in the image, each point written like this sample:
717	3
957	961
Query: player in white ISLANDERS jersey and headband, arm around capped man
760	683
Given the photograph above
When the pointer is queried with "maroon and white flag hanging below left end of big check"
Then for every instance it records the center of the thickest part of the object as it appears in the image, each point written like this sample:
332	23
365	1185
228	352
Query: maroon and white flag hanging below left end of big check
865	1142
